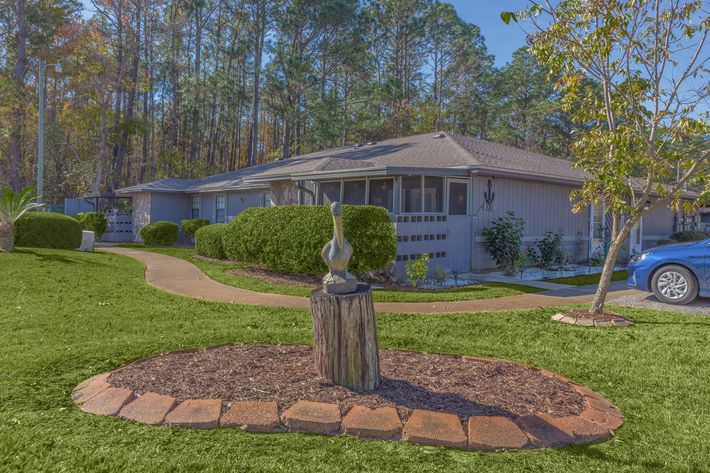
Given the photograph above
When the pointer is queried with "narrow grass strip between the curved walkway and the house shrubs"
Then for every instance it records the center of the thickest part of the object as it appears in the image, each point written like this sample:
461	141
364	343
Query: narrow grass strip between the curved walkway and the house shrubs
218	272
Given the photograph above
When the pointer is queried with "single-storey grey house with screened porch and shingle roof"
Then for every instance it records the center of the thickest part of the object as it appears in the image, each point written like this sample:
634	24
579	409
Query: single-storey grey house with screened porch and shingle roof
441	190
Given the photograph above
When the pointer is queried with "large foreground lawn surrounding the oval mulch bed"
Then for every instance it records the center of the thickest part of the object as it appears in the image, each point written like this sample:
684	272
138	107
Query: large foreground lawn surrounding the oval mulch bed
67	315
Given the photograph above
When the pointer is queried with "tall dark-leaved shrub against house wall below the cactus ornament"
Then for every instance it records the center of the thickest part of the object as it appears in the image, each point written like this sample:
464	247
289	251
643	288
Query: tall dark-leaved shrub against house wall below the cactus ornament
504	240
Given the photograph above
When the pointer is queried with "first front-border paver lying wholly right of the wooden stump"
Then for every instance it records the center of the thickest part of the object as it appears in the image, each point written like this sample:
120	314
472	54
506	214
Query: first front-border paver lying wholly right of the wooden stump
434	428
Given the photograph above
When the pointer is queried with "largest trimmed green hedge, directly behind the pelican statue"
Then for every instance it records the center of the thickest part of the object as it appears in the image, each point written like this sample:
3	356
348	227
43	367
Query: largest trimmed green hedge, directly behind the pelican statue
290	238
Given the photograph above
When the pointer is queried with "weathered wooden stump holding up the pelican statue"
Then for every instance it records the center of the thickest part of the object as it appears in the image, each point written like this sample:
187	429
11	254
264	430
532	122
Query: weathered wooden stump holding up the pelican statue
345	346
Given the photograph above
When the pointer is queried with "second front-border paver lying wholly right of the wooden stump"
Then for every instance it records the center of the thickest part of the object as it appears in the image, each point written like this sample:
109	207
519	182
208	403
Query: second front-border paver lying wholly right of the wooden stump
495	433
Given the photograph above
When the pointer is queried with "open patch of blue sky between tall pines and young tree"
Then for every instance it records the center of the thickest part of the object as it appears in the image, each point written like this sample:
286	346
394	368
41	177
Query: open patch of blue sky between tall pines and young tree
501	39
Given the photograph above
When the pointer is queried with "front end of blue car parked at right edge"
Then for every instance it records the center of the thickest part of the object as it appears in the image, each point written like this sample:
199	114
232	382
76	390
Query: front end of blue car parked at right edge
676	274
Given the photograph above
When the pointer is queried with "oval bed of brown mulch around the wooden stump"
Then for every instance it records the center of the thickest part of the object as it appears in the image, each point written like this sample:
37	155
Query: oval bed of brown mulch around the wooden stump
411	380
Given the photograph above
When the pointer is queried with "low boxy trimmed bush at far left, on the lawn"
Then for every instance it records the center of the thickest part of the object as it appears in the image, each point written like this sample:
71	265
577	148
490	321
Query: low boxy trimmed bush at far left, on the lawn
48	230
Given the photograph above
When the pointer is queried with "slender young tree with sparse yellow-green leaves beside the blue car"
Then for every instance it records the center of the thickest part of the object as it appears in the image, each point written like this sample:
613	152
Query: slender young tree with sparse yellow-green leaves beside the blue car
647	145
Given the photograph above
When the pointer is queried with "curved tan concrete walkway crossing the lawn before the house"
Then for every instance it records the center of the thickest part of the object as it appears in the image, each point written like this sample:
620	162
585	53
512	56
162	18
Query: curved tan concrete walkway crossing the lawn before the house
181	277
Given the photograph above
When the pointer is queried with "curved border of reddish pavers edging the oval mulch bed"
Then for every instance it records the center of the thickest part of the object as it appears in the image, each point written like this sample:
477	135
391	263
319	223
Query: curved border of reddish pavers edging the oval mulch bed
597	422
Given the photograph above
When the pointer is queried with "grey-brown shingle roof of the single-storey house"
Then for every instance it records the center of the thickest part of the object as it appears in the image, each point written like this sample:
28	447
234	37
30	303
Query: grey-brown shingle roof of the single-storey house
419	152
